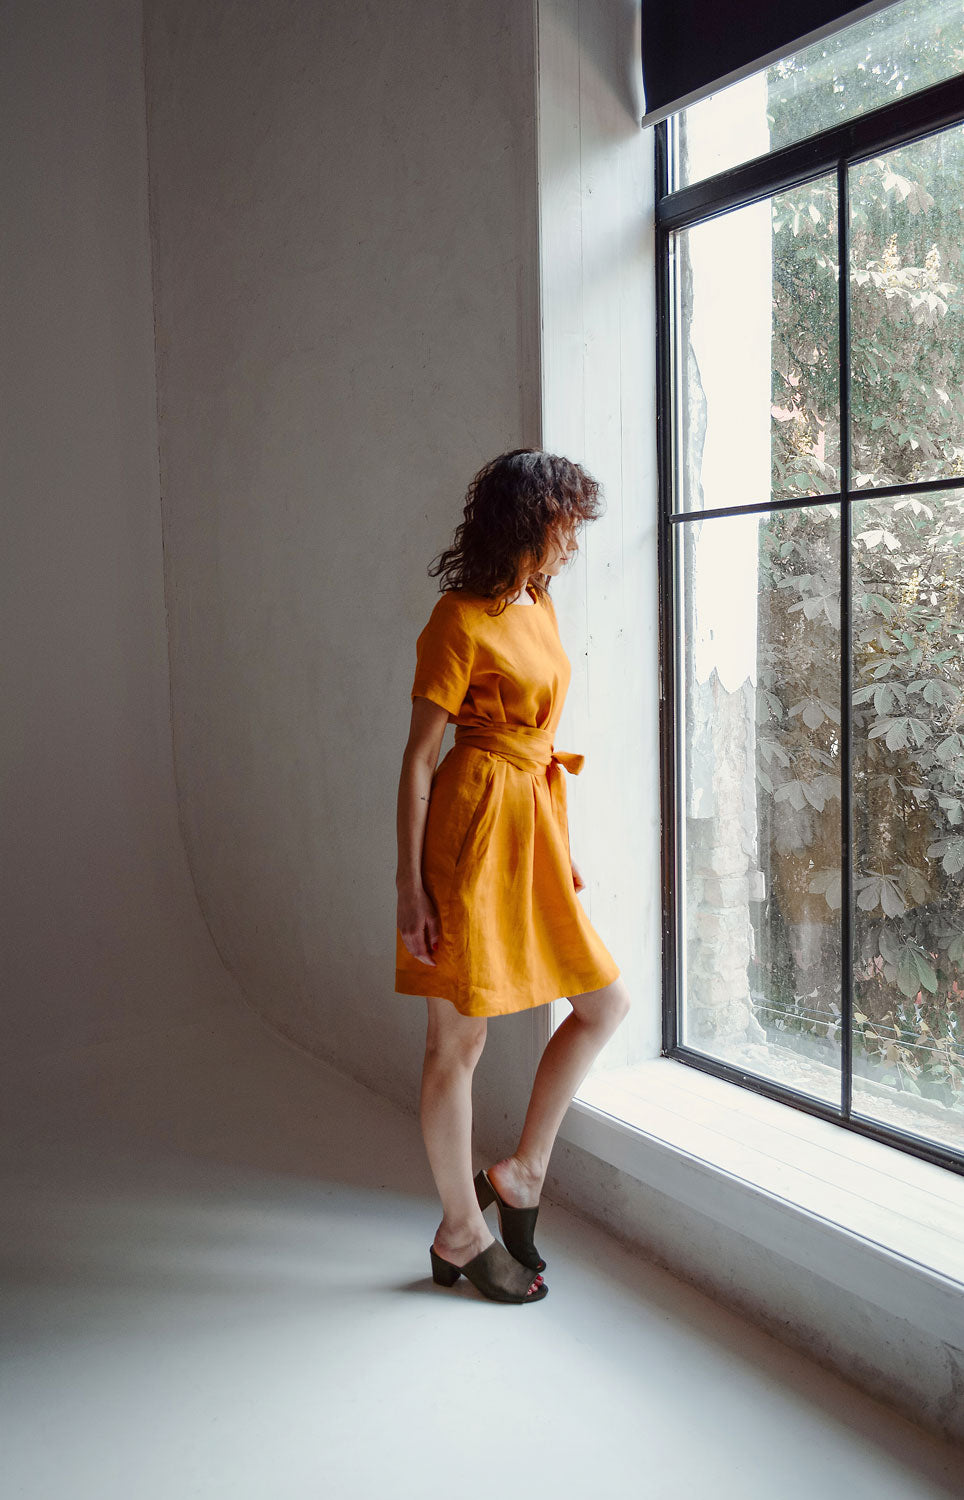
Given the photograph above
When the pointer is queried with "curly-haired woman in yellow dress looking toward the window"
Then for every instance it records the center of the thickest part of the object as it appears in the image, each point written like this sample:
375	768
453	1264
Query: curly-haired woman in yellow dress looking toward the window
488	920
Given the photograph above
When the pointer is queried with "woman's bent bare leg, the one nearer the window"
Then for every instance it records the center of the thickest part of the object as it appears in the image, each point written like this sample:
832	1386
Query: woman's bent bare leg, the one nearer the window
566	1063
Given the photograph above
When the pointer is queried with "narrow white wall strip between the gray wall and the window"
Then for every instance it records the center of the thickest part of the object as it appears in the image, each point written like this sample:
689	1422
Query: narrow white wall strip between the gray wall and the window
597	280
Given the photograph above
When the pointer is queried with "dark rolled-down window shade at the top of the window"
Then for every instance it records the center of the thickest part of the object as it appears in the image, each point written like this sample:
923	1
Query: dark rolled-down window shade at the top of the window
695	47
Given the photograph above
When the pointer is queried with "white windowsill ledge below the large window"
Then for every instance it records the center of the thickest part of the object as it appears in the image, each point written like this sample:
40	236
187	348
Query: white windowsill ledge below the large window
873	1220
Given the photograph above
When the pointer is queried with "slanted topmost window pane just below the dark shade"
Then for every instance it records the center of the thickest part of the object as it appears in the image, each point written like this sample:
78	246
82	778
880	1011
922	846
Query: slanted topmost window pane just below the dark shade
884	58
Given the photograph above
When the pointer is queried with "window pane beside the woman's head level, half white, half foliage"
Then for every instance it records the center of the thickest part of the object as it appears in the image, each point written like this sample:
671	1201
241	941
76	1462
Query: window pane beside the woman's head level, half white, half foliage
756	353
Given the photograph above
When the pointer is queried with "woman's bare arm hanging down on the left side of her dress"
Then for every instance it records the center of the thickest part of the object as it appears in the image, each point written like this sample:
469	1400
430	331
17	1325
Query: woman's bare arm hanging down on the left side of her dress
418	919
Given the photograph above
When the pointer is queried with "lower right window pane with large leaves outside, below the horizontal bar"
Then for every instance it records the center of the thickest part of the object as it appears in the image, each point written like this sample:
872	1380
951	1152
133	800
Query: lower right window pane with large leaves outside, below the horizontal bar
909	814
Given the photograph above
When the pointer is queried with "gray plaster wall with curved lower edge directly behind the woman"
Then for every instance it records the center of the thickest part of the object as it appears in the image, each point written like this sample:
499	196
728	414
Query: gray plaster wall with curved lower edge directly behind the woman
346	247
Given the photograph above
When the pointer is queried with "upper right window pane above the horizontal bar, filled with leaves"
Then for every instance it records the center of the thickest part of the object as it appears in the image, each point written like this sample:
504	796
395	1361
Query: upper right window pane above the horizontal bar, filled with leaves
908	313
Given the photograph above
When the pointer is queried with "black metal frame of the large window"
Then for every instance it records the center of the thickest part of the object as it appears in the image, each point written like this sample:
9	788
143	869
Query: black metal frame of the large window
830	151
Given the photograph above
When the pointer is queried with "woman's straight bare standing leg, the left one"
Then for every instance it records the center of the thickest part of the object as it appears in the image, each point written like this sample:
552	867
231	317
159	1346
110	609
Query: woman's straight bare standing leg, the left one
454	1048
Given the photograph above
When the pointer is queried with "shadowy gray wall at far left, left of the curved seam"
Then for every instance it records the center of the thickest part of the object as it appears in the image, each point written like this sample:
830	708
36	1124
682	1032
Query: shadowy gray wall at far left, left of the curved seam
100	932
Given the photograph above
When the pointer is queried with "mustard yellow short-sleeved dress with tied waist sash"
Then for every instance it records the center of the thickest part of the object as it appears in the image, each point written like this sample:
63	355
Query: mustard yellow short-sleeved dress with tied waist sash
497	850
